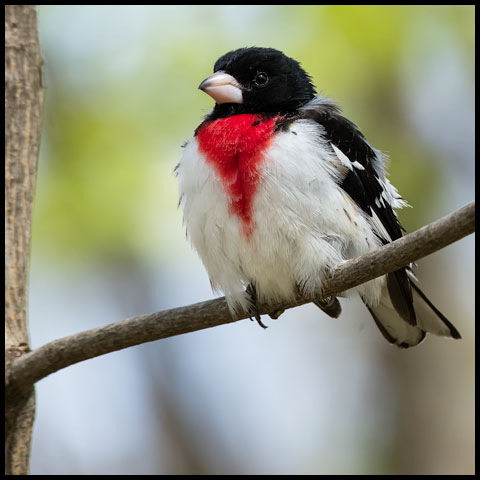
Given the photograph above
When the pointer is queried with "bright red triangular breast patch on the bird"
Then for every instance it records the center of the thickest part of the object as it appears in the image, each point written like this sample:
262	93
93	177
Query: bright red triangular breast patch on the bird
234	146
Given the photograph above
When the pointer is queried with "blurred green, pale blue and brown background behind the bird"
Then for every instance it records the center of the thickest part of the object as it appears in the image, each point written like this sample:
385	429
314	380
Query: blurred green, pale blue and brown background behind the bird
310	395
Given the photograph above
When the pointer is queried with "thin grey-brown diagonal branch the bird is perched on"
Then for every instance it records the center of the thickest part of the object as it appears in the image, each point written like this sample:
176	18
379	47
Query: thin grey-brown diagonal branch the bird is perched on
66	351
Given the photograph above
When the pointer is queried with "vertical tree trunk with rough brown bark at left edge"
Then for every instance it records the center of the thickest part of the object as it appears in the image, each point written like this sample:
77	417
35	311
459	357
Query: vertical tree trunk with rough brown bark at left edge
23	105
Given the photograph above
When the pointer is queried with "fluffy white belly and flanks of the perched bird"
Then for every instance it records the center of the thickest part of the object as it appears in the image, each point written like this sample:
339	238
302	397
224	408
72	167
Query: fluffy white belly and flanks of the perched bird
303	223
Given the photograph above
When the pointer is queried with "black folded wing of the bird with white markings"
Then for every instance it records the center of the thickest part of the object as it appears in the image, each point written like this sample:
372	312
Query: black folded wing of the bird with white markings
365	187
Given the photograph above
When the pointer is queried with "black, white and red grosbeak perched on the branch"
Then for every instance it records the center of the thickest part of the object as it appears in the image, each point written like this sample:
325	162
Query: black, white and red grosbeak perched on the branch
278	188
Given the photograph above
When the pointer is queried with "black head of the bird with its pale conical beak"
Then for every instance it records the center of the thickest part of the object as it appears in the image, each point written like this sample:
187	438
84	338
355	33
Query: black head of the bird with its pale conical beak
258	80
